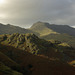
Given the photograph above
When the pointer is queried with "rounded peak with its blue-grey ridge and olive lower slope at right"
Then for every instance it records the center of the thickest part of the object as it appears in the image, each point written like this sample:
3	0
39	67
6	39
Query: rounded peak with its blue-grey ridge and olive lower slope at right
63	33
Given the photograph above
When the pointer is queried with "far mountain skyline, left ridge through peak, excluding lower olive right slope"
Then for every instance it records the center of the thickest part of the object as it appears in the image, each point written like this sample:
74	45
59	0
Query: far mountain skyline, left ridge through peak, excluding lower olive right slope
39	28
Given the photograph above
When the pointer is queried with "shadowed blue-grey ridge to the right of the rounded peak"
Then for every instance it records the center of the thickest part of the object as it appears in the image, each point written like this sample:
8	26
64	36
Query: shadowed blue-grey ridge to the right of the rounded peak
62	29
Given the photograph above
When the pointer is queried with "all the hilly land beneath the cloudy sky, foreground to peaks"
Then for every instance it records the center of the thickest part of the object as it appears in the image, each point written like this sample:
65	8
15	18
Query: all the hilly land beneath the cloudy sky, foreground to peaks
24	53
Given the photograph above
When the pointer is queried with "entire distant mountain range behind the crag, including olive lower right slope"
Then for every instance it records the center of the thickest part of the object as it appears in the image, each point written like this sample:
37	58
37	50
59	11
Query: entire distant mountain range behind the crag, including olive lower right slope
63	33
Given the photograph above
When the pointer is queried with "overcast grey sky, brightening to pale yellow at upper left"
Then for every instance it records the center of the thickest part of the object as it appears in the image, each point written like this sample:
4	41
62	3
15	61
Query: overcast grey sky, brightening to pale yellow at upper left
24	13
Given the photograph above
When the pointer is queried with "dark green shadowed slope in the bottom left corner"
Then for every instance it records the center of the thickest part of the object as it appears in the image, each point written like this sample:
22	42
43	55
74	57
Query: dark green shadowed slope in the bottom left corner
7	65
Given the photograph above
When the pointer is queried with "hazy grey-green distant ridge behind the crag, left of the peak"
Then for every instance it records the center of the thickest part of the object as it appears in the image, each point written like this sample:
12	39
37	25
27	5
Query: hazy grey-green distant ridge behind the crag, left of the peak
9	29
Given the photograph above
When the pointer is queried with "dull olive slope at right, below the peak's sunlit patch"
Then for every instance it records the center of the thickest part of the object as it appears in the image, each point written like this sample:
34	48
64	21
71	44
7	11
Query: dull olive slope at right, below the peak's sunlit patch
61	37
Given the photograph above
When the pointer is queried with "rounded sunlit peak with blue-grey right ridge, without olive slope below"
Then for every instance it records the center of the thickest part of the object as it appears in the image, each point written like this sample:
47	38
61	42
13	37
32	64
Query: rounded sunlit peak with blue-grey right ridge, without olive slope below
44	29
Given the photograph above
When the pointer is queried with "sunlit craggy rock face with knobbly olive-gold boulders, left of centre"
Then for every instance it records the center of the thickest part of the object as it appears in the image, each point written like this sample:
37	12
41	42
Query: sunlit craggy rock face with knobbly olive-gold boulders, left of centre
22	41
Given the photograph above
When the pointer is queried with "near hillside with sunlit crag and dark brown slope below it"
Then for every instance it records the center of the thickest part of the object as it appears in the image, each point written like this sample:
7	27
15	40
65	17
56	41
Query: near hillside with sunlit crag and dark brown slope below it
35	56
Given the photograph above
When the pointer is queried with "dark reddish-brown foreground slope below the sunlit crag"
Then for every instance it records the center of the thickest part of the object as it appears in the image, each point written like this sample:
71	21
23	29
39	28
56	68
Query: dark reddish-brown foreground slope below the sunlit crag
32	64
